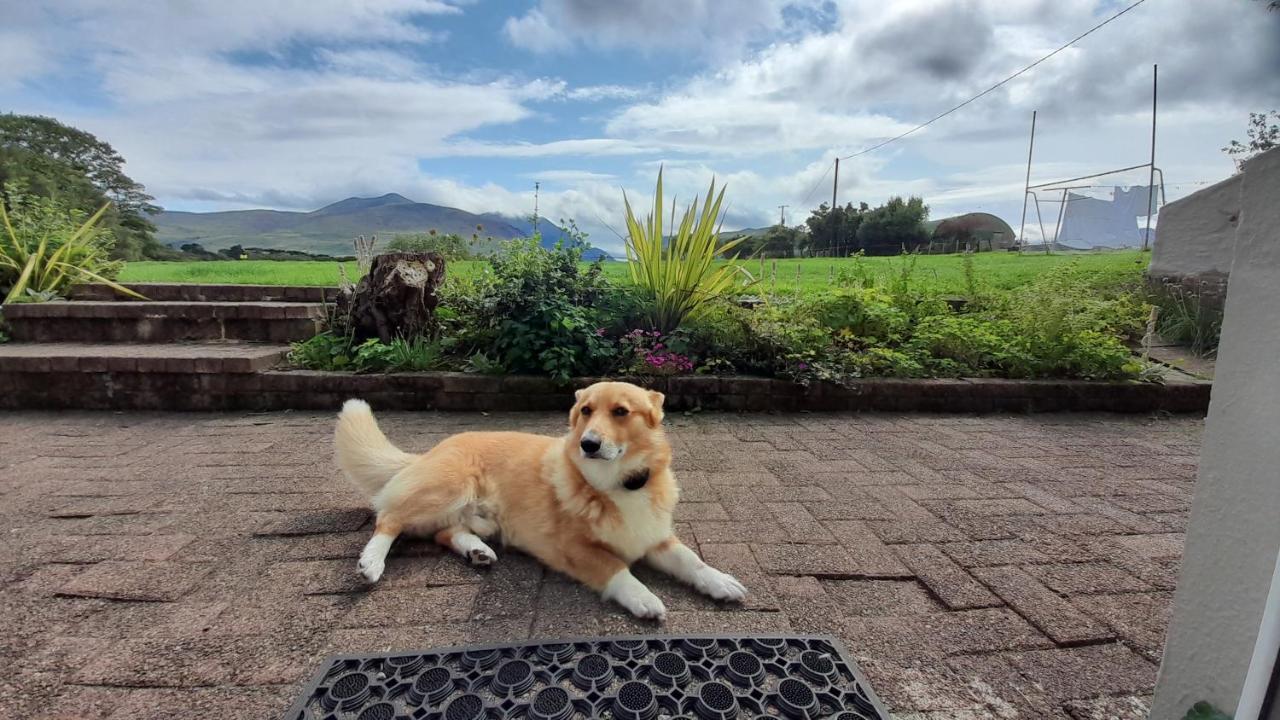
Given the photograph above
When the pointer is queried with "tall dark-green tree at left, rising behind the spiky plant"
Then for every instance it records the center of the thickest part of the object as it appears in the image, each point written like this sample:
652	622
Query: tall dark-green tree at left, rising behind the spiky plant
54	160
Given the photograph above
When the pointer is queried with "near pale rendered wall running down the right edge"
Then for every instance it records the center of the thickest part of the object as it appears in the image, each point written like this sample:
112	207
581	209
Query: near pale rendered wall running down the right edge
1235	534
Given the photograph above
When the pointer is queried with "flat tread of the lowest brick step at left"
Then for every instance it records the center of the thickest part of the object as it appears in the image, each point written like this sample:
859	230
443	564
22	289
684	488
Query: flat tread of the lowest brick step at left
226	358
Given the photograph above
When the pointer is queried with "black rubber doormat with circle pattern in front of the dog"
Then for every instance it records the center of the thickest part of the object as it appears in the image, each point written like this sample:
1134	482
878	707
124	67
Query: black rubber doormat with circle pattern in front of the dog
634	678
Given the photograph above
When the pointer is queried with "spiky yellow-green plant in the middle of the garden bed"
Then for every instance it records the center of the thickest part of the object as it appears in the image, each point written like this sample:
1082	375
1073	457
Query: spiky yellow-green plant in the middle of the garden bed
680	276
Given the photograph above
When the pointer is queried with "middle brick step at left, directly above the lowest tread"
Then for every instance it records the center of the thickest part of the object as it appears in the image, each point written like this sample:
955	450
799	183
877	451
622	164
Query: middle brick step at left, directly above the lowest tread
163	322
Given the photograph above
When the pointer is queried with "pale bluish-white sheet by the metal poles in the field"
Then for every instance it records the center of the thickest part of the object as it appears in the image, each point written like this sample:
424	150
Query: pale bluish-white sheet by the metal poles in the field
1096	222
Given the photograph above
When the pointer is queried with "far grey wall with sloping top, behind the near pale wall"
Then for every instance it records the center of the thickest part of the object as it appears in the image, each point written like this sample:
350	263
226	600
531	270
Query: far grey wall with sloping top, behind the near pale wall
1197	234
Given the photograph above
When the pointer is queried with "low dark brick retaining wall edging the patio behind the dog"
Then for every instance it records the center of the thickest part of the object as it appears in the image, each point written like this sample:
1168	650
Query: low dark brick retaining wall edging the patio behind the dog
308	390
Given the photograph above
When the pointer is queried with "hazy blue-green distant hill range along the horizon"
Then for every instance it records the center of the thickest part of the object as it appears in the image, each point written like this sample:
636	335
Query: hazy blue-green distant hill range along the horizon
332	229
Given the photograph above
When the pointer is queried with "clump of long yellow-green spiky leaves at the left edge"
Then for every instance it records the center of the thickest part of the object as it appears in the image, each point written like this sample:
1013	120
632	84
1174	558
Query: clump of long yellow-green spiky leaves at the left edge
45	248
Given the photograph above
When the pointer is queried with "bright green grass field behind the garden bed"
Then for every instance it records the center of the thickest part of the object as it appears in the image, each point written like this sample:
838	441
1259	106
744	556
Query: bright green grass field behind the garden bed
947	272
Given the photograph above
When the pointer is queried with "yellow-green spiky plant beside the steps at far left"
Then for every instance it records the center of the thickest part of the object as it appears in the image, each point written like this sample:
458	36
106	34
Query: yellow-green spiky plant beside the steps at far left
42	259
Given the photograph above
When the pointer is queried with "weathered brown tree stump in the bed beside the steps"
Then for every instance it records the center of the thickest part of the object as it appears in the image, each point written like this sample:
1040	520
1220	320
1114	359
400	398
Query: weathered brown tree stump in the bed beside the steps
396	299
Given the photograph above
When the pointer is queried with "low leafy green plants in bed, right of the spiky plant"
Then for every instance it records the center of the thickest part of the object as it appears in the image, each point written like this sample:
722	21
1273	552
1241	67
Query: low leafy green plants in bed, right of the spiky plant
1059	326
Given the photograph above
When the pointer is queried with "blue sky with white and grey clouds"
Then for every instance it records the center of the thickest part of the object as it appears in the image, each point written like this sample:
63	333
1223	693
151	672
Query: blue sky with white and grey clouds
294	104
